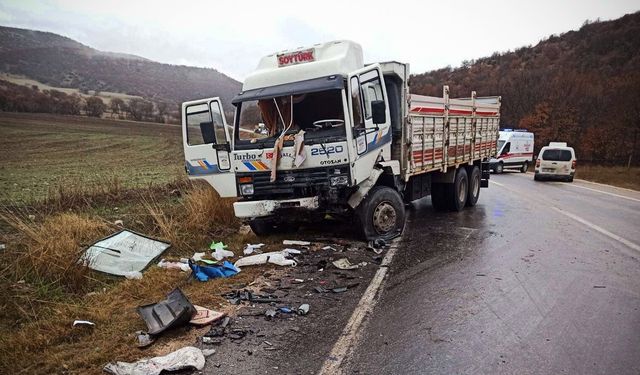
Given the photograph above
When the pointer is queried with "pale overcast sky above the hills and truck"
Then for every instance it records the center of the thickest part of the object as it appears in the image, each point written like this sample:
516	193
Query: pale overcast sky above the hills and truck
232	35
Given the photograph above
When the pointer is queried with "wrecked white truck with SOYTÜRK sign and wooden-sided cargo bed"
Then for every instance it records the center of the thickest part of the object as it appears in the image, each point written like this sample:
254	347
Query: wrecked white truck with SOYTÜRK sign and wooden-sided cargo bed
343	138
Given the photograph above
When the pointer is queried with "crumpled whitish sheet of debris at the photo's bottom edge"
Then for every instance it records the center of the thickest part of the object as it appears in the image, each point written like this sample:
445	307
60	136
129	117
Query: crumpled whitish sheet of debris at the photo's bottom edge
183	359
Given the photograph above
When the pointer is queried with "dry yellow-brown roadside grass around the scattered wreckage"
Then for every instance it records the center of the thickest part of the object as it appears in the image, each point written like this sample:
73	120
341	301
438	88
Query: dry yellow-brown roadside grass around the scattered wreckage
43	289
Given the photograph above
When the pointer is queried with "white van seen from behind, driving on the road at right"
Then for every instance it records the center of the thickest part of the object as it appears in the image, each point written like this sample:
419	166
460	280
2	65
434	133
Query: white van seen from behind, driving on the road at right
556	161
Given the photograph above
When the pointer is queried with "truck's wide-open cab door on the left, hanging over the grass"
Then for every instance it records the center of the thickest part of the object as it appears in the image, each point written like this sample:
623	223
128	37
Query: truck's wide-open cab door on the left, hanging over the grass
207	146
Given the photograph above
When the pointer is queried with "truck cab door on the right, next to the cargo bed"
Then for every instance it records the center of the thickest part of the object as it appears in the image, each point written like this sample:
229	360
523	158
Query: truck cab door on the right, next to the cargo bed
370	120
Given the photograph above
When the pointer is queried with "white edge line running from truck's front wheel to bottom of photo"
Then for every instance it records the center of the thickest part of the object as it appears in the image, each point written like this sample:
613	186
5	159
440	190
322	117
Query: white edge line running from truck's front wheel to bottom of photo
351	333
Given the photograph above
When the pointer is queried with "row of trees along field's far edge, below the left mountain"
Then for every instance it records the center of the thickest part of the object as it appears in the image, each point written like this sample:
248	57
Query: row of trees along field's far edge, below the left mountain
18	98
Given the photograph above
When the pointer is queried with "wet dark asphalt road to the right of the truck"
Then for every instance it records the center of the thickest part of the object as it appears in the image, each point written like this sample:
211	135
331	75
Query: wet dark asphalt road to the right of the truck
538	278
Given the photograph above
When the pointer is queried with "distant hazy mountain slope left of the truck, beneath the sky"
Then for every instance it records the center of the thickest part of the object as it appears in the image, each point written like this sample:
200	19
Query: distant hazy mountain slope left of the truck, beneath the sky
62	62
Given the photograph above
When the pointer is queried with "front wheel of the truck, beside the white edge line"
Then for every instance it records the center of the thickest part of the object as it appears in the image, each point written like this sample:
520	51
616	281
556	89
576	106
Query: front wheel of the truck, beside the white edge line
381	214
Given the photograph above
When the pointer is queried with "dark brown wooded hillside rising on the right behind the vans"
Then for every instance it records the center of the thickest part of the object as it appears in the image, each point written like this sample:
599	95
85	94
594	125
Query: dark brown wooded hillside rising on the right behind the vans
581	86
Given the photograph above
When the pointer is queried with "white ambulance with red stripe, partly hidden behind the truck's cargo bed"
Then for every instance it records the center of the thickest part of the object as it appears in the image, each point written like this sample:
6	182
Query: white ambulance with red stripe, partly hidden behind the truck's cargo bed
515	150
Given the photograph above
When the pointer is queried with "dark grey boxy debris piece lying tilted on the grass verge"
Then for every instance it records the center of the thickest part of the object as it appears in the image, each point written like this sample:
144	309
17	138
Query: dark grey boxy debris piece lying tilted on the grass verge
172	312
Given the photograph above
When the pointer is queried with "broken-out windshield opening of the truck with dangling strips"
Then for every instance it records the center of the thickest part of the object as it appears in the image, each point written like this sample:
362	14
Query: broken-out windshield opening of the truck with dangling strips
266	118
